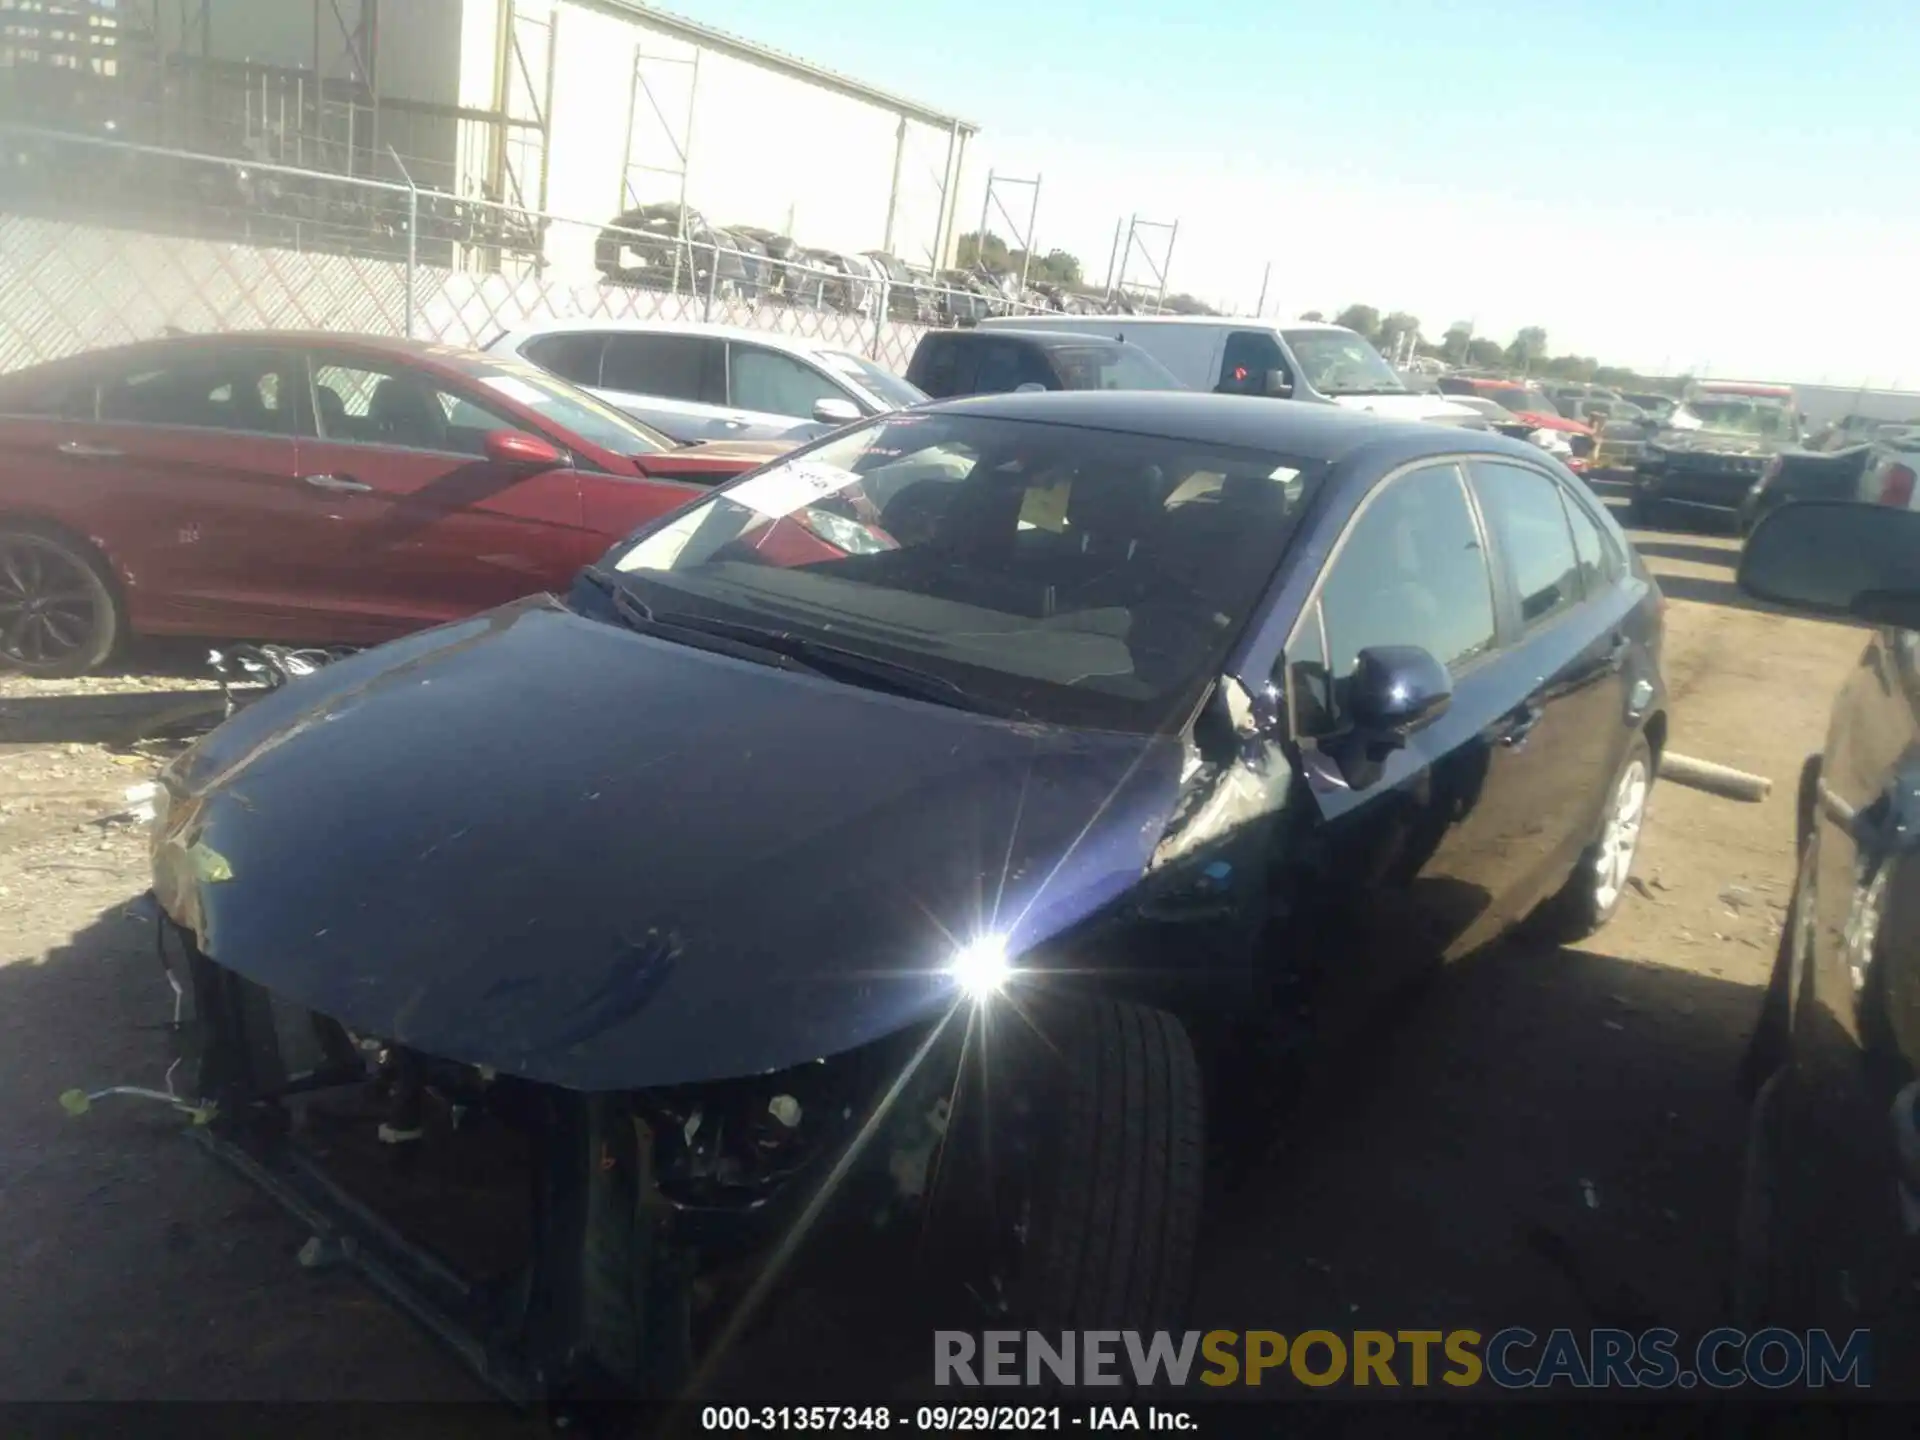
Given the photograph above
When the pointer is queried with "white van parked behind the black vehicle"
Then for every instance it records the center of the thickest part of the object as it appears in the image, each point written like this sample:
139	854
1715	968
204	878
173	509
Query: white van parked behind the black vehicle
1303	360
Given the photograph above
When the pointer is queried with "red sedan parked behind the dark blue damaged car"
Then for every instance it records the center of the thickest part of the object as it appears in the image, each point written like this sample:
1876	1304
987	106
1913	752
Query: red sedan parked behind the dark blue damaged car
306	489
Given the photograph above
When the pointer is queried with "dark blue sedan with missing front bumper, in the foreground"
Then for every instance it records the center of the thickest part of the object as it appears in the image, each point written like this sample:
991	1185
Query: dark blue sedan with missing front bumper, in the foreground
913	828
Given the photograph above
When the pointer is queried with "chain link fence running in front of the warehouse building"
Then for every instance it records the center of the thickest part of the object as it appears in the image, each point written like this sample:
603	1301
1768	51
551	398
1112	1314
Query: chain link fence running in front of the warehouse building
105	243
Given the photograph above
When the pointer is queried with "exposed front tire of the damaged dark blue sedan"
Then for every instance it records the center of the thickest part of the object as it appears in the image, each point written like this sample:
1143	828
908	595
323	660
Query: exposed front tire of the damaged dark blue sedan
1107	1180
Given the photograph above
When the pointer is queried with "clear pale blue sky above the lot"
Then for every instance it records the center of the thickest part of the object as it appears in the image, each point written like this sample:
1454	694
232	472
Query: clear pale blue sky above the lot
1698	183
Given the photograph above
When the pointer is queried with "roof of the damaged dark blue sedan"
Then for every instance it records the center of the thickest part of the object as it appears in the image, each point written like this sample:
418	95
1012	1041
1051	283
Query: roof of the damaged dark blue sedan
1297	429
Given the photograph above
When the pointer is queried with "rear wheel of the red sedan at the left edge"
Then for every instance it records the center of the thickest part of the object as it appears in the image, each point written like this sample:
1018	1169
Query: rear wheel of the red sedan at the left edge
60	612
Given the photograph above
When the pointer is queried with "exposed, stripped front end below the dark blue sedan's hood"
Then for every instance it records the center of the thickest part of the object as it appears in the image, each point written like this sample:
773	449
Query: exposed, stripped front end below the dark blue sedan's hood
642	1222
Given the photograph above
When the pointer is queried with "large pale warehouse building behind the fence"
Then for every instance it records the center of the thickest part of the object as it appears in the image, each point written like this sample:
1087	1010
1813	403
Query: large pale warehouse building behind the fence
575	108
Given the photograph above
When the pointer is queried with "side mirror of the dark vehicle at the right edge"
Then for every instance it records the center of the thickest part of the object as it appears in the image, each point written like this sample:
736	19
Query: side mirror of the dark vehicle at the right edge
1840	560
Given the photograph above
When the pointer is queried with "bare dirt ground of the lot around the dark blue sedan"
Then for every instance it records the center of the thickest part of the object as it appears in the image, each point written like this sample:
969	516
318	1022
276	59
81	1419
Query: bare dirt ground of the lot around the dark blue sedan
1547	1138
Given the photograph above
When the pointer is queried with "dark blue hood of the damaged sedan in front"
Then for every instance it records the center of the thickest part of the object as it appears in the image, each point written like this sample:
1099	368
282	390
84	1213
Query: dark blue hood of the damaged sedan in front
596	859
